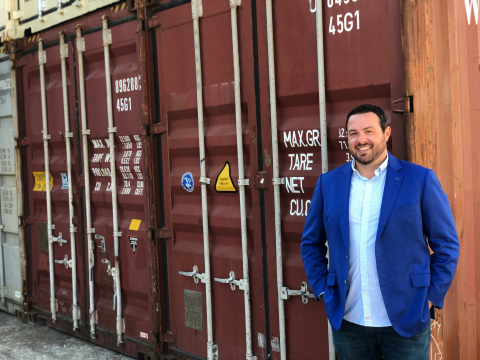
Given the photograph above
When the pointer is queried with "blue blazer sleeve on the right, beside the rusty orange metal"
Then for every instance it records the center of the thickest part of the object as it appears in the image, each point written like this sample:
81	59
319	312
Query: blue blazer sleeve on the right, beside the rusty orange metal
439	227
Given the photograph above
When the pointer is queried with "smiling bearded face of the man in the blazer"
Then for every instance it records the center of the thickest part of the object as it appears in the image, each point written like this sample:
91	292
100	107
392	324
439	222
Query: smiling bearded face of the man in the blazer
366	140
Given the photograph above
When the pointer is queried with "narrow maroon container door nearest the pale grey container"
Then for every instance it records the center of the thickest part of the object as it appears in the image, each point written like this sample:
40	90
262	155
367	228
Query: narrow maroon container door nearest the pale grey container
58	183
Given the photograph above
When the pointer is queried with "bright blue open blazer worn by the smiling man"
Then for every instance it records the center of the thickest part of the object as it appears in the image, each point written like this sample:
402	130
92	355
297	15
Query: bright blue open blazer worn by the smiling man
415	212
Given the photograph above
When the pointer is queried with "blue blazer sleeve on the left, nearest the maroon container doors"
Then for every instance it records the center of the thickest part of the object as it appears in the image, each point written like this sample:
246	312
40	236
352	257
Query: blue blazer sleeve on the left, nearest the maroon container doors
313	246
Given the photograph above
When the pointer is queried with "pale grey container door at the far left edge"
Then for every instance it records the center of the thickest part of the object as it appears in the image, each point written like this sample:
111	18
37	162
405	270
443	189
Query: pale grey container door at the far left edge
11	271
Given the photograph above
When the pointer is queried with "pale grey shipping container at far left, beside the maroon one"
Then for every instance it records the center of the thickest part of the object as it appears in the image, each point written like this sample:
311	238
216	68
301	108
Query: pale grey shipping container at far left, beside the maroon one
12	250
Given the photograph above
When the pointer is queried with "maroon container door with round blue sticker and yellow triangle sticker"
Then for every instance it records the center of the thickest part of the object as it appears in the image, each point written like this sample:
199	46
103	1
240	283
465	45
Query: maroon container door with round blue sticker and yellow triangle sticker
186	302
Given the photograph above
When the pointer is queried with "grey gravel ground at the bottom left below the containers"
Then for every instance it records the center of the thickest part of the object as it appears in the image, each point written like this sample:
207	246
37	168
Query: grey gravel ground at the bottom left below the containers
20	341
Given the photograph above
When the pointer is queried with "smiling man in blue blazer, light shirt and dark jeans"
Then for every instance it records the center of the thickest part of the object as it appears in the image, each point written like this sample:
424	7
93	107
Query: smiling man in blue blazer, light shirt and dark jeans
379	216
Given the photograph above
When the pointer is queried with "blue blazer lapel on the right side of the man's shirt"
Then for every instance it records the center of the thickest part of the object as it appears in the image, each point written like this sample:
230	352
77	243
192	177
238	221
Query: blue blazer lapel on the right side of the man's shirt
392	185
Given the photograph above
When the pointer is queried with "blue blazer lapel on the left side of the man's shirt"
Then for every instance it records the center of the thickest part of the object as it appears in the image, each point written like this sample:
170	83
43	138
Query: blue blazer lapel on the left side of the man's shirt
343	201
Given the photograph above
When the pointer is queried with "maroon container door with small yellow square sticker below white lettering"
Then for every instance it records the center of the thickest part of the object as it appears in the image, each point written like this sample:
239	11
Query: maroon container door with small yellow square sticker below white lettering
130	155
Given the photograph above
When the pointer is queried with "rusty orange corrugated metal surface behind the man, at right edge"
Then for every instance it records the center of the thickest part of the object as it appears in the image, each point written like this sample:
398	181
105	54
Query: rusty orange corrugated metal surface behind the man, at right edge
441	59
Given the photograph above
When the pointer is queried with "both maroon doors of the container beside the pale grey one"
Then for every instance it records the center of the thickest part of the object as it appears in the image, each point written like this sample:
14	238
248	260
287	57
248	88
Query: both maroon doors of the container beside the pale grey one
138	313
